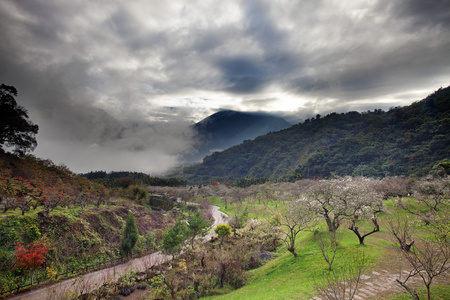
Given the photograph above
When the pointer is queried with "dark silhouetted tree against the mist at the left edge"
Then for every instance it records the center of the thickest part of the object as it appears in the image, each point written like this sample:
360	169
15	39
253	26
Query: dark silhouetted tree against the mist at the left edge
15	128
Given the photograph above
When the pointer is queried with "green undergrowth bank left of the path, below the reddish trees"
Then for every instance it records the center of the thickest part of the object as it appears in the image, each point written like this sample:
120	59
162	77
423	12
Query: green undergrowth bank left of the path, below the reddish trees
77	238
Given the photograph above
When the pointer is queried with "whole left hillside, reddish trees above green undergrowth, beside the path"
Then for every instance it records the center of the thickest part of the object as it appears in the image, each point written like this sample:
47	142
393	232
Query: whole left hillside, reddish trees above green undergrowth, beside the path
76	220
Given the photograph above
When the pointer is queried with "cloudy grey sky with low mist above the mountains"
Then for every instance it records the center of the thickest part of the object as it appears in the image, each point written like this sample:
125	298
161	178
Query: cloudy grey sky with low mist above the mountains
115	85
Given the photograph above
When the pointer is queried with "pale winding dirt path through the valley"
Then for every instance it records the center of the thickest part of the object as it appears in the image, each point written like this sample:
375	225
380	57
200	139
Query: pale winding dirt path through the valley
90	281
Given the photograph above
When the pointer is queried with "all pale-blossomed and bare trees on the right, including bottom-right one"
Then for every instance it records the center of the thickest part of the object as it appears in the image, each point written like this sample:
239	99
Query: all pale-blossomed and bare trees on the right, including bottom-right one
421	204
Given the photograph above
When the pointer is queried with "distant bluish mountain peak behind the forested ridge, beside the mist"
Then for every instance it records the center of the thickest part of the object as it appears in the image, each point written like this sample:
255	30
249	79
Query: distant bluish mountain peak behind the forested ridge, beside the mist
227	128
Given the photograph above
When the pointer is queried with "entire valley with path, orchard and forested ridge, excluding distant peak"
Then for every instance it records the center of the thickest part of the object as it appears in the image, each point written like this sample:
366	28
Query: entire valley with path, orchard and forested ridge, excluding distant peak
345	206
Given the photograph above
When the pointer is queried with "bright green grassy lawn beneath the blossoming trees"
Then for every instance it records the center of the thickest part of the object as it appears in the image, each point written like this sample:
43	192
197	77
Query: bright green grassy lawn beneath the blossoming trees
289	277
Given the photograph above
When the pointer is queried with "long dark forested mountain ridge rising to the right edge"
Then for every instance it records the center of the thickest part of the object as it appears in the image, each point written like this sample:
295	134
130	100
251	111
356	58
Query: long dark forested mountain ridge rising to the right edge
407	141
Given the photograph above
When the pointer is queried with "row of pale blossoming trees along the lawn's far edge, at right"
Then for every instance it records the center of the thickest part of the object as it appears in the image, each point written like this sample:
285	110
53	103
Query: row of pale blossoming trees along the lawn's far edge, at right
351	200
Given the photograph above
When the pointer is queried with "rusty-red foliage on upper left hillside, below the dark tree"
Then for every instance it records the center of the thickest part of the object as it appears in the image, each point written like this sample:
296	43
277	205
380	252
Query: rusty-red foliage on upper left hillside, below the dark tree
27	182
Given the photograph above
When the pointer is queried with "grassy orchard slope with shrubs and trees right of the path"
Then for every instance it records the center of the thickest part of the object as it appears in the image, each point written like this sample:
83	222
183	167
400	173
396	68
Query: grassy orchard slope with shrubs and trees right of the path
240	265
